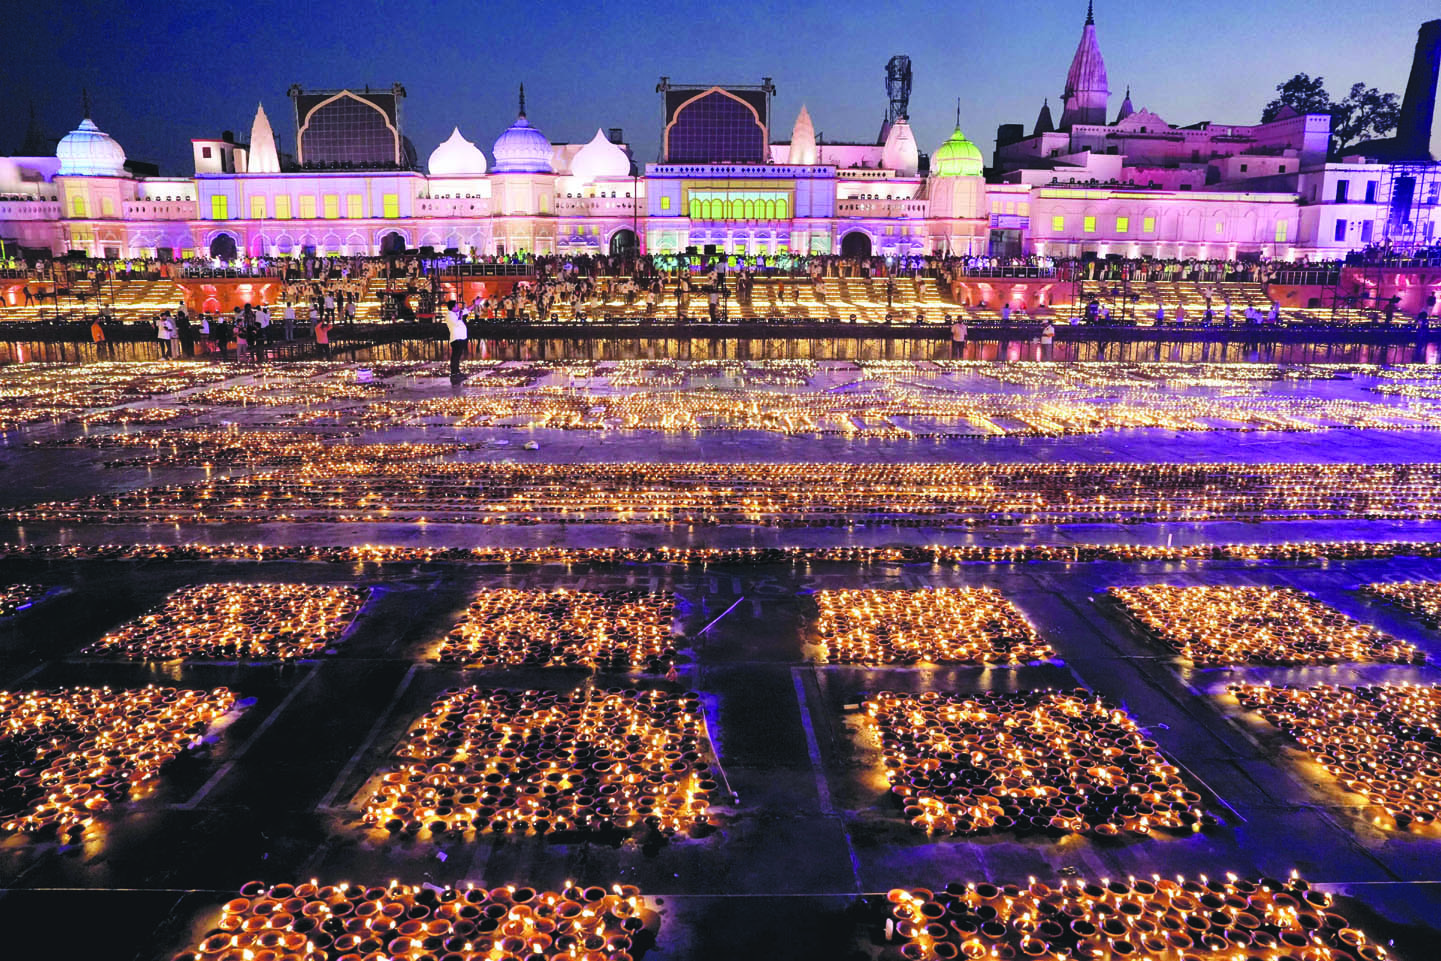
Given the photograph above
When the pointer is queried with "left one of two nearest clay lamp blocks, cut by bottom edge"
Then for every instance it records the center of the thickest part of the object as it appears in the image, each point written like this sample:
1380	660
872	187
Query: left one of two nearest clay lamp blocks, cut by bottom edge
411	923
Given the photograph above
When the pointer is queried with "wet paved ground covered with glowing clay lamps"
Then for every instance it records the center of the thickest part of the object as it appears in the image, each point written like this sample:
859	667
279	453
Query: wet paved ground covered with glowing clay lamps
658	662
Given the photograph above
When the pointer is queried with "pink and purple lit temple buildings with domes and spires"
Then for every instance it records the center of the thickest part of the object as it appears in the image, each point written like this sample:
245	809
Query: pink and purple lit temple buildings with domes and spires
1103	179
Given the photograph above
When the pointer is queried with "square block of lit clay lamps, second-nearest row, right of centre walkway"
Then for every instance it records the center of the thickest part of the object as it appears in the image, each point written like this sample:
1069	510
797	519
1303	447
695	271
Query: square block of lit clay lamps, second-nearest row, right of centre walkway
1051	763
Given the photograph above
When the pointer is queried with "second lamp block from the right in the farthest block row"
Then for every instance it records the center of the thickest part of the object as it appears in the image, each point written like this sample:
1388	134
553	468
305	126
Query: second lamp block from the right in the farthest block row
1223	625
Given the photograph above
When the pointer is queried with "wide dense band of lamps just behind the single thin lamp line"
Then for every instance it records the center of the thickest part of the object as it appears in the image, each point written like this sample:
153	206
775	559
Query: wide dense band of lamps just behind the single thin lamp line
777	495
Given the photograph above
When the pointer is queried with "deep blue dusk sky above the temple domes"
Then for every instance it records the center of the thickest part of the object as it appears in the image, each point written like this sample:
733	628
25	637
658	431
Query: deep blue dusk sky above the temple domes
161	74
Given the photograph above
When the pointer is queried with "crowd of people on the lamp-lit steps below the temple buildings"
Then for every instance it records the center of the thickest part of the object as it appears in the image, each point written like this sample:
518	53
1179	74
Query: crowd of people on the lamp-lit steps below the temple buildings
328	290
